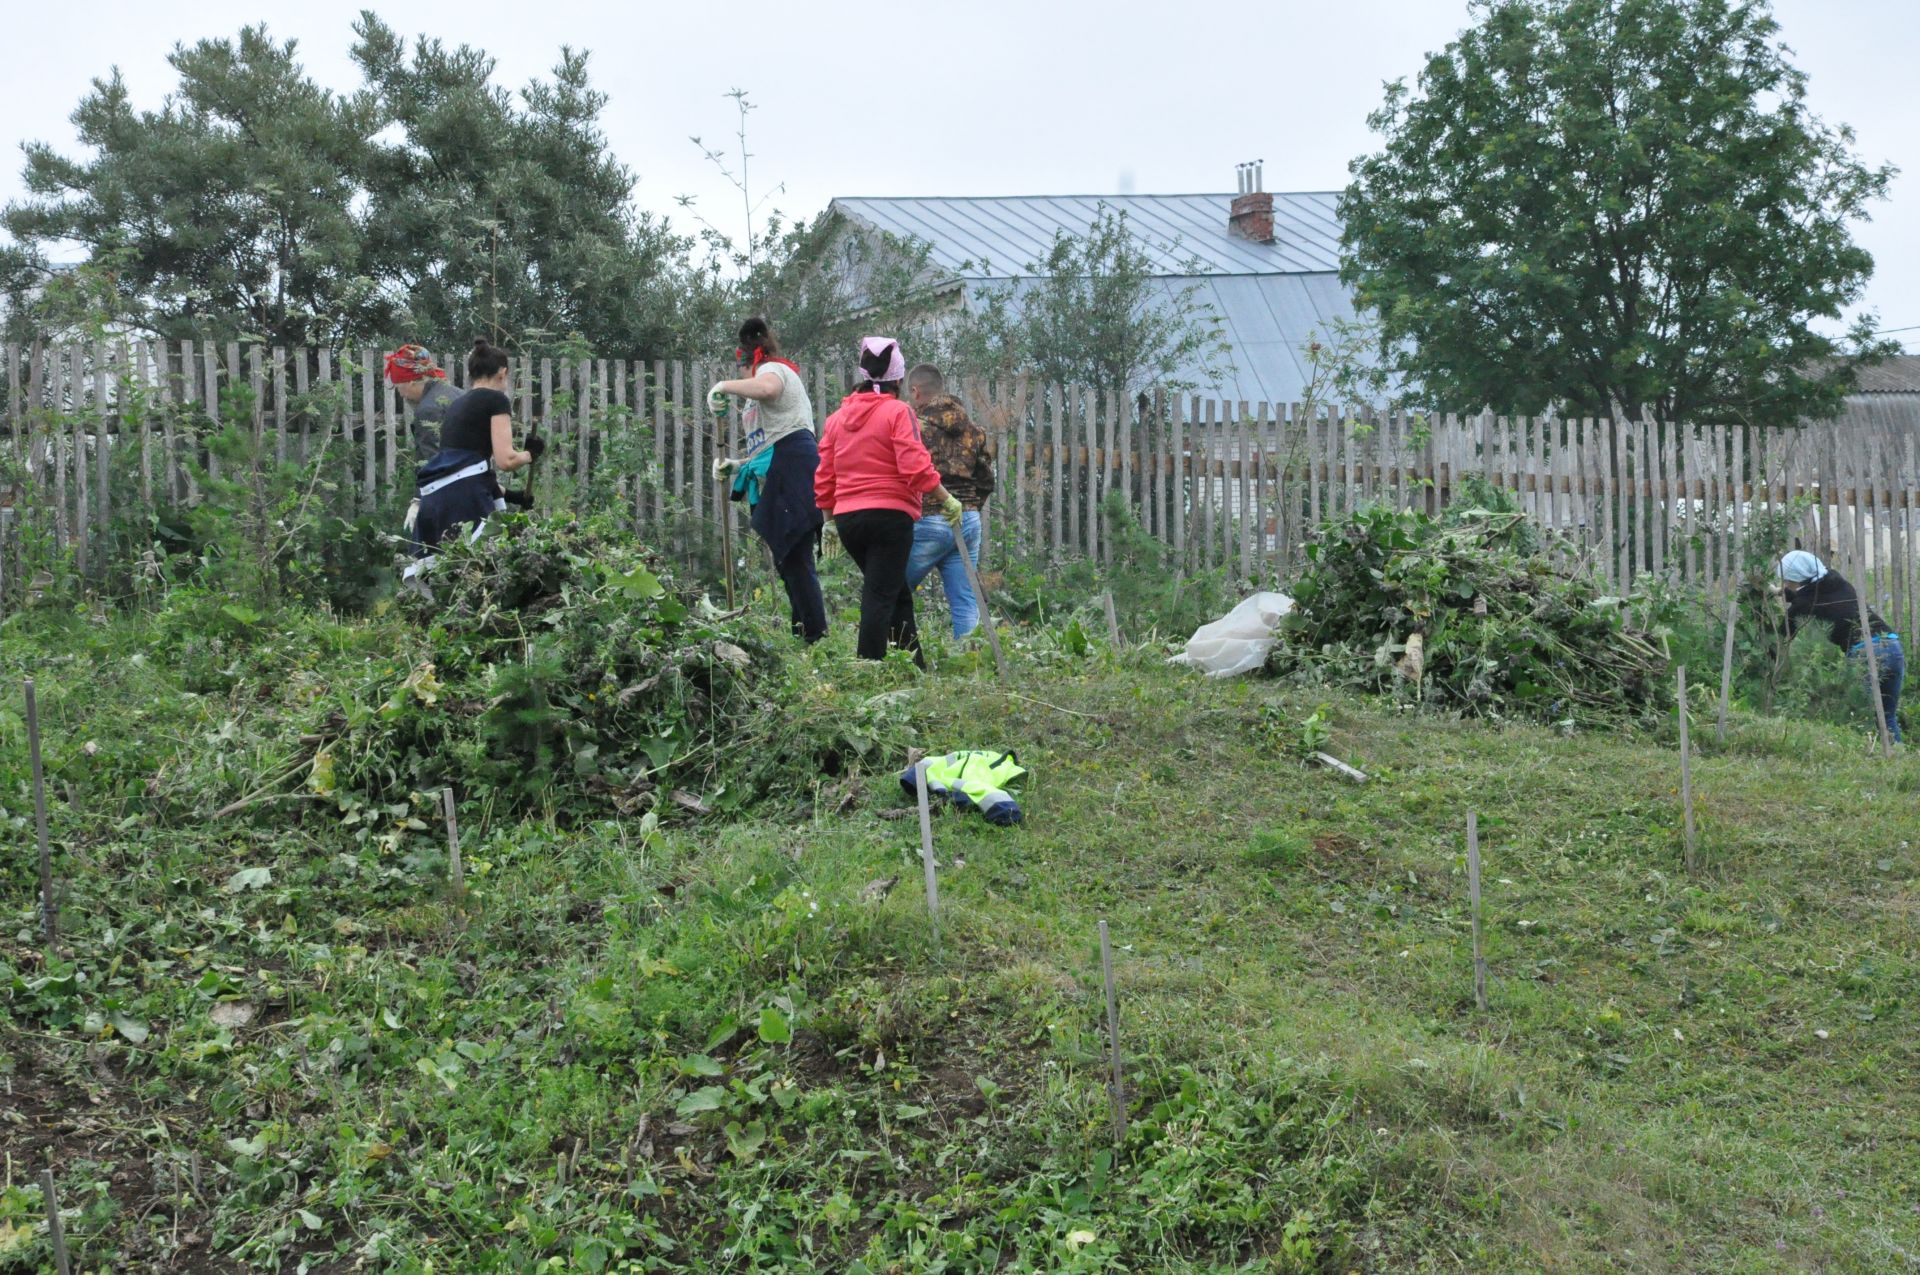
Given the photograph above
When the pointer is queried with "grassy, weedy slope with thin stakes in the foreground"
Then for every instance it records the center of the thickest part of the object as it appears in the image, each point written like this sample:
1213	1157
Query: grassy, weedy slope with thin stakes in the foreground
725	1044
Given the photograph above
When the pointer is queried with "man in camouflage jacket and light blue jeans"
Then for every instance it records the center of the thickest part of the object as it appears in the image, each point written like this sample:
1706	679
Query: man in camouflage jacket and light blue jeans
963	454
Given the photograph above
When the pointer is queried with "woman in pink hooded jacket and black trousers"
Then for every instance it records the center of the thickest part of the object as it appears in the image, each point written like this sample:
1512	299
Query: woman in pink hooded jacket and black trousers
875	471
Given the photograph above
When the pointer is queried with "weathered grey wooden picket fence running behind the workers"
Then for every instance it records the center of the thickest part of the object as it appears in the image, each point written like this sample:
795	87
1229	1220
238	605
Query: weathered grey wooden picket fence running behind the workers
1224	485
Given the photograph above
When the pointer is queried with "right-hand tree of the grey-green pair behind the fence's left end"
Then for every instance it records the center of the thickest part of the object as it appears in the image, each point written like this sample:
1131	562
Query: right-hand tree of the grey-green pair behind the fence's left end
491	214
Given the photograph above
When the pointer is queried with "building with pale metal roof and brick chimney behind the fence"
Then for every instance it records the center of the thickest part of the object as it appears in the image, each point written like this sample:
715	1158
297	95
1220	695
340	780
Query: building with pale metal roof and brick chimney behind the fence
1268	264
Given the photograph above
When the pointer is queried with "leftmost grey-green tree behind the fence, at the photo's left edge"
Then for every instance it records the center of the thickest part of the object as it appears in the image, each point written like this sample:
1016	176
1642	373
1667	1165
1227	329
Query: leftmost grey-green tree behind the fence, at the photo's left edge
226	212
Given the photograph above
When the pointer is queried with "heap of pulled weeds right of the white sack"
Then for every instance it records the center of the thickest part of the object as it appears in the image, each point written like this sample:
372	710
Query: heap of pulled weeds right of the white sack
1472	612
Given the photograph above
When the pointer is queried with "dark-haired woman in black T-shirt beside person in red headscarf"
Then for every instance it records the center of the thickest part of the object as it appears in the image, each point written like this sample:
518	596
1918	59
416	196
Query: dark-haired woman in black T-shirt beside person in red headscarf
460	485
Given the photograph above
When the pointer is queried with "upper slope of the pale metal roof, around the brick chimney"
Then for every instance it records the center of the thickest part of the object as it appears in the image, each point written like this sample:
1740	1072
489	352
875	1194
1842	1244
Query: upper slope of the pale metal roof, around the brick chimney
1184	233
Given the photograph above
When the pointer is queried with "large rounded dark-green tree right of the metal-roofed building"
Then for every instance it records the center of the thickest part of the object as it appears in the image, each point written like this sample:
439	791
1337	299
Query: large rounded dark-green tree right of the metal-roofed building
1606	204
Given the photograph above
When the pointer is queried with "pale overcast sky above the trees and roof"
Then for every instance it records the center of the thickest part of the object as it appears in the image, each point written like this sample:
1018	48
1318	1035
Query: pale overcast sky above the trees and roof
984	97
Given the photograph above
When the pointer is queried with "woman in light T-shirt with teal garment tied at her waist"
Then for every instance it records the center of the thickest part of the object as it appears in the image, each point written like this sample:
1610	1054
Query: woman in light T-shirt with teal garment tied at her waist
777	468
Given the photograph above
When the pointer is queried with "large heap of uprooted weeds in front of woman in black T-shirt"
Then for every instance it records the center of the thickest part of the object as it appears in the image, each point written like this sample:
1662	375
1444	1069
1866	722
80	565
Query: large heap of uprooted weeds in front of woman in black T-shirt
560	667
